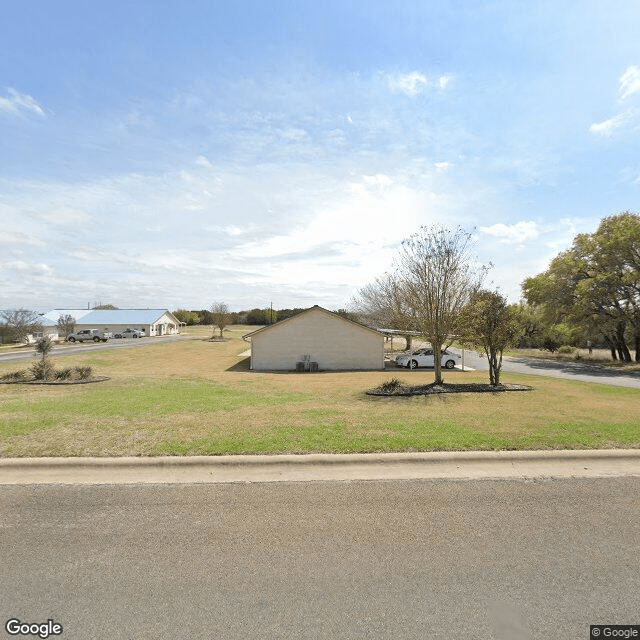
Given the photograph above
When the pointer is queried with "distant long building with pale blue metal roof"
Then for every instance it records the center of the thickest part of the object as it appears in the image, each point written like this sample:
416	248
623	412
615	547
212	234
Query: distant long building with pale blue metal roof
155	322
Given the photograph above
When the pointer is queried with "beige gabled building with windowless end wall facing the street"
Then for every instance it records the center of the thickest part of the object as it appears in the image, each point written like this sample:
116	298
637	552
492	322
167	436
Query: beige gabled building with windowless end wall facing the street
316	339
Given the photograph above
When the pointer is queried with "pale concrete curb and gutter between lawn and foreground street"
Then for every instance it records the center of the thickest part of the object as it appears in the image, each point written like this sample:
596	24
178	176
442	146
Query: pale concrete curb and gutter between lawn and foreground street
327	467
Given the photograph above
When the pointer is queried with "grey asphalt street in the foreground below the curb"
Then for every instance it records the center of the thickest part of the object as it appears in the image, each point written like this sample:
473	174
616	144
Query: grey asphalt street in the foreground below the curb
399	559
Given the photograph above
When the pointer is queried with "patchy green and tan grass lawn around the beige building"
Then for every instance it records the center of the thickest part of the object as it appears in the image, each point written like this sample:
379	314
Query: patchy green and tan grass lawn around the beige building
199	397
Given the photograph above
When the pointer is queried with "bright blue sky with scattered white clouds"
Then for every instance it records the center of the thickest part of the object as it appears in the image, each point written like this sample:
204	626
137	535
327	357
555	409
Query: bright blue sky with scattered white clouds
173	154
